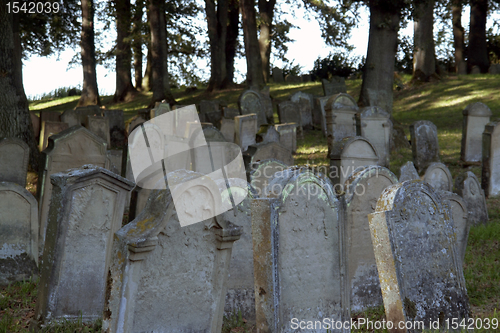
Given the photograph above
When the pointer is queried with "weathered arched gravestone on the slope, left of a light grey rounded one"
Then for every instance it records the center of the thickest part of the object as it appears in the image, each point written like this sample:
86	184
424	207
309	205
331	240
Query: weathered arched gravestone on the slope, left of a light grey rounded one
341	110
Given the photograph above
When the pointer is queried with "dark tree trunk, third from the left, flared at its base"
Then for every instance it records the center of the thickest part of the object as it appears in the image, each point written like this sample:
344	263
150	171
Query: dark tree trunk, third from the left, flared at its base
124	88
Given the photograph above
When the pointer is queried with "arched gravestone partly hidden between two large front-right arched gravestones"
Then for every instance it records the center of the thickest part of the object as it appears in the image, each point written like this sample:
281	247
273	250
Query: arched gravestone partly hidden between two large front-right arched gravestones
363	188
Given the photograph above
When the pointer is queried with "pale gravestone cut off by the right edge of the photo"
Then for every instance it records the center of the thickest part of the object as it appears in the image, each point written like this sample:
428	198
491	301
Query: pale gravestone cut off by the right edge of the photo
490	175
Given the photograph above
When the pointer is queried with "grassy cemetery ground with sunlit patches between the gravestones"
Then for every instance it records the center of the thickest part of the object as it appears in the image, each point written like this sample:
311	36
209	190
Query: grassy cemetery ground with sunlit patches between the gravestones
440	102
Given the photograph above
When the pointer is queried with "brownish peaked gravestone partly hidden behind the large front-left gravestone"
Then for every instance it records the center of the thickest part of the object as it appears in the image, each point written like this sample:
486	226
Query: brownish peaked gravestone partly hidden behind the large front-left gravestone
72	148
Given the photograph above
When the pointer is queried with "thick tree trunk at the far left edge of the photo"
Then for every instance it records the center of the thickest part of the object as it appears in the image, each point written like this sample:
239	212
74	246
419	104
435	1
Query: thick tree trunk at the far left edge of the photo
15	120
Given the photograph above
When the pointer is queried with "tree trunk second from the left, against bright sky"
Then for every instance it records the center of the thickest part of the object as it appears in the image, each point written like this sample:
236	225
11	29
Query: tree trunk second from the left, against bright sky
90	93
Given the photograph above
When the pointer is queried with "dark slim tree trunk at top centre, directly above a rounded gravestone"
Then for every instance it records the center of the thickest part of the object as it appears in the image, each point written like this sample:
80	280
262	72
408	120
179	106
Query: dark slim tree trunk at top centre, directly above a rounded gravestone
255	79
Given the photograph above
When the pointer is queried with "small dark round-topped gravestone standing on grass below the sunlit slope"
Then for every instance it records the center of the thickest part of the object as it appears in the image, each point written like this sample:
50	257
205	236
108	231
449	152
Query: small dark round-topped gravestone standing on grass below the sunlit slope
424	144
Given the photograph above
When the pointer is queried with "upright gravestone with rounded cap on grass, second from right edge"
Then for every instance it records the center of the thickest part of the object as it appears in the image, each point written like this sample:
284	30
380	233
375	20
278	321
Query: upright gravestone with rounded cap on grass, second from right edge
476	116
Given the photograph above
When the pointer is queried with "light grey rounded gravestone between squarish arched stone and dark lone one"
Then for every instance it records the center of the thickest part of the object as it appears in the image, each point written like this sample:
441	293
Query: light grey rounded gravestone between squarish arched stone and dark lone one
376	126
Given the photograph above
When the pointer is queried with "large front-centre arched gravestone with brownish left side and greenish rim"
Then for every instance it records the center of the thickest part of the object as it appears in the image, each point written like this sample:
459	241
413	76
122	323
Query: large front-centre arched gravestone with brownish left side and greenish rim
299	253
